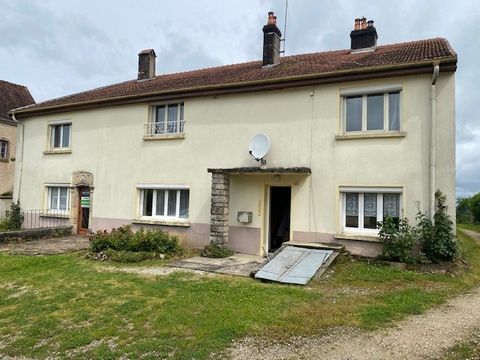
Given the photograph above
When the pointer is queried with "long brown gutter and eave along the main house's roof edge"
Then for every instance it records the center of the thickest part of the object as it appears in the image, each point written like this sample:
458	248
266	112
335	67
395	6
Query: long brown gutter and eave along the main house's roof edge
421	67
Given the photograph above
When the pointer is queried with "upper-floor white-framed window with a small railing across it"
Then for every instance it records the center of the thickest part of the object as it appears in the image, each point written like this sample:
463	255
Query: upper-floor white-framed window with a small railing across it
167	119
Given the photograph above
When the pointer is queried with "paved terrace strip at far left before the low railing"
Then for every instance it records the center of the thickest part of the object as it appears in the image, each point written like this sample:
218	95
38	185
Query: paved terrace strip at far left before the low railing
47	246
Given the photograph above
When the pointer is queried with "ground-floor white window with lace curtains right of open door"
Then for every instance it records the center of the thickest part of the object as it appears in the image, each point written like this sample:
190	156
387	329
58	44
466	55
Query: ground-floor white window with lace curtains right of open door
363	208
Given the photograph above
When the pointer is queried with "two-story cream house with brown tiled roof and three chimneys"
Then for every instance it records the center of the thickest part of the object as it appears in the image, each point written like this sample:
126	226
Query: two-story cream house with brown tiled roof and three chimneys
355	135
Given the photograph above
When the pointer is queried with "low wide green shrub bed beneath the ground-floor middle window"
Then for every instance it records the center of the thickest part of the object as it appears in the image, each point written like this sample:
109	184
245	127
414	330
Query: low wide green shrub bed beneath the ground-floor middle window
124	239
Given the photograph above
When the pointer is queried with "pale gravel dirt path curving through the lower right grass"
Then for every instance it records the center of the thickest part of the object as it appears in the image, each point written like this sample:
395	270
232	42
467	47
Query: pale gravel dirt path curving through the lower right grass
418	337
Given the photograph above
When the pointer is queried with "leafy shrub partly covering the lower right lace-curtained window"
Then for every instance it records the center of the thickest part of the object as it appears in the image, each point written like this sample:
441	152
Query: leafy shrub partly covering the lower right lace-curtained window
398	240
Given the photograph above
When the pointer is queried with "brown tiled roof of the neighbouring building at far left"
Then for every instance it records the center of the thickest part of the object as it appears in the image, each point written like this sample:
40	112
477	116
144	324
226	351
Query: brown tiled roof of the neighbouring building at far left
12	96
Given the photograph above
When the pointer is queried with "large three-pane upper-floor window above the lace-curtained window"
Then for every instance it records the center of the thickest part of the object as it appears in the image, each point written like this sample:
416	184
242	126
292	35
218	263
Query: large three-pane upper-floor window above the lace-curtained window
371	110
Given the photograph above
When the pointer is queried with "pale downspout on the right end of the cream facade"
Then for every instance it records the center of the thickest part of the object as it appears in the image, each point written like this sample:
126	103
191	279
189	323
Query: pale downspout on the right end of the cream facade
433	132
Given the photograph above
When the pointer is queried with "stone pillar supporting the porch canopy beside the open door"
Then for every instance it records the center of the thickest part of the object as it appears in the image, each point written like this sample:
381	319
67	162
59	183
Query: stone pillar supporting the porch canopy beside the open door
219	209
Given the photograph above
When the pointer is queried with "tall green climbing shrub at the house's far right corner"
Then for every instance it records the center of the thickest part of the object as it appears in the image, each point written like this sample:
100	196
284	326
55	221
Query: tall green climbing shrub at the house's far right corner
437	239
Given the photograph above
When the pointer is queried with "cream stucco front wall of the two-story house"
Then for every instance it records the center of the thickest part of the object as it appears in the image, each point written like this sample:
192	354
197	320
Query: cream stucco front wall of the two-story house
301	123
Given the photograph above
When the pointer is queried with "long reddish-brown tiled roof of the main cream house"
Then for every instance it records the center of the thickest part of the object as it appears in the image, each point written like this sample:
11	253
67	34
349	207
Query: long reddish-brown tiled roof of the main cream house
295	66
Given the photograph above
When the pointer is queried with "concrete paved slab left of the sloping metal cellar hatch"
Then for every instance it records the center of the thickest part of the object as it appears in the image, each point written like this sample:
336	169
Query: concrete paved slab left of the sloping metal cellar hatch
238	264
